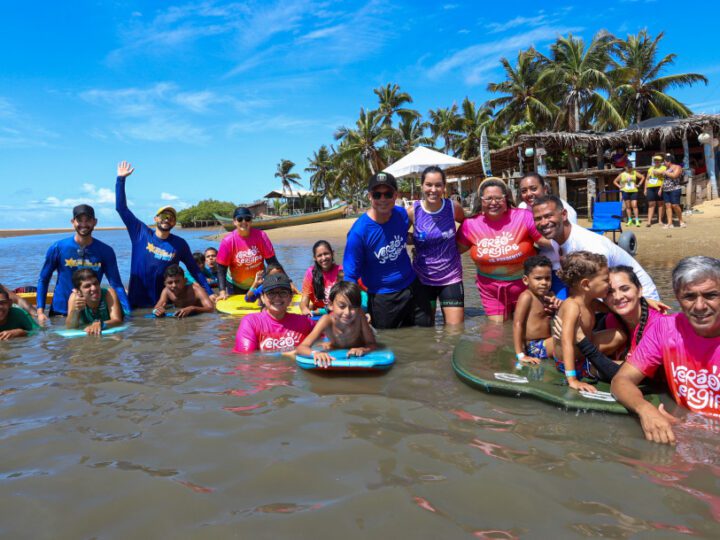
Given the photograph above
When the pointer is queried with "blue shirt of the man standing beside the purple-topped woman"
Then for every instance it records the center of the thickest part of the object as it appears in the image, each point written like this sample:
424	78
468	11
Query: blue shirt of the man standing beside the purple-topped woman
377	253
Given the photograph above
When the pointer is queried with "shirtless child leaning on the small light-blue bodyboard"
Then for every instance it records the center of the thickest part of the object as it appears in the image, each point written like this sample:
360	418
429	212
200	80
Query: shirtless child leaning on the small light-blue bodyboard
345	326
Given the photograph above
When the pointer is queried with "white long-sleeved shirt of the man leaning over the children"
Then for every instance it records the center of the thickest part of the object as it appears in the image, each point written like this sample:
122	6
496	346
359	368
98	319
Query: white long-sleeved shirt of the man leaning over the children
582	239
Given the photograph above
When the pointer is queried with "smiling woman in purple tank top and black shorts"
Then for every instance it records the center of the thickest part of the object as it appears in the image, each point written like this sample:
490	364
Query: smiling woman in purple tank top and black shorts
437	261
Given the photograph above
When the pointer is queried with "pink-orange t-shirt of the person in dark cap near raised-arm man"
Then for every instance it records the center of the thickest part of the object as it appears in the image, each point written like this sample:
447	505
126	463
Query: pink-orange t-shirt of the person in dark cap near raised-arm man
244	256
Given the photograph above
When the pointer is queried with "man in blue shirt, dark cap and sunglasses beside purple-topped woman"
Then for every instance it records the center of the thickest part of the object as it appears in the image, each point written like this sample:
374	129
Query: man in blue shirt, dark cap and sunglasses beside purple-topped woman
376	251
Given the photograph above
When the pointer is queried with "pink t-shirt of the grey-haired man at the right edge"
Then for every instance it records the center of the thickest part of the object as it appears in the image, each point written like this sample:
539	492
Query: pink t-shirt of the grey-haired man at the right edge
691	362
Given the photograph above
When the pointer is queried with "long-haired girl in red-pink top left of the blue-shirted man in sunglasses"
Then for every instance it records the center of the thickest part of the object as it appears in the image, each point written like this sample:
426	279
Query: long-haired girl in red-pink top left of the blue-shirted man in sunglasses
319	279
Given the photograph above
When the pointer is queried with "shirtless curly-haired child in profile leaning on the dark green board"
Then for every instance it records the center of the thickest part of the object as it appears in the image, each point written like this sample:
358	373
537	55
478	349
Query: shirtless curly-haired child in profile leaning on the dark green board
588	278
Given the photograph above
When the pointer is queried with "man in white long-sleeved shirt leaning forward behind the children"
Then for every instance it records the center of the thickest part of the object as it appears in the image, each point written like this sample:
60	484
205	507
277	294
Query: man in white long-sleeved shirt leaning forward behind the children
552	222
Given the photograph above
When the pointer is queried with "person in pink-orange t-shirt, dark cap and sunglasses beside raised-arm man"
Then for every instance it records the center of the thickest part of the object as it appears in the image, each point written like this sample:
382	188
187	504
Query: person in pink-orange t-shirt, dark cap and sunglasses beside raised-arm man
242	255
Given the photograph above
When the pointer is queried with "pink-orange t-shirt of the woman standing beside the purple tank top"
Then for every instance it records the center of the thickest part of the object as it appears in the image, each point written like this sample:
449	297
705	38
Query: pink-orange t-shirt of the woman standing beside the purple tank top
499	248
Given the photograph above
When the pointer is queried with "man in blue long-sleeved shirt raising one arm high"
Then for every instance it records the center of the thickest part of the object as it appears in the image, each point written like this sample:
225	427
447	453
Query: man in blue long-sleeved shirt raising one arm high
152	250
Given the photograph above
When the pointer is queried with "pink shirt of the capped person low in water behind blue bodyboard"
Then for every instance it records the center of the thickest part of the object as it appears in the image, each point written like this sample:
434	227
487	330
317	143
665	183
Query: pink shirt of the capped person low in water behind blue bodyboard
260	332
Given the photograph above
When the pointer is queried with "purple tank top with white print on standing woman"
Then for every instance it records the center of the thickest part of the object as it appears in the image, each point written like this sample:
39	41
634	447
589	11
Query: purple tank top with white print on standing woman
437	260
